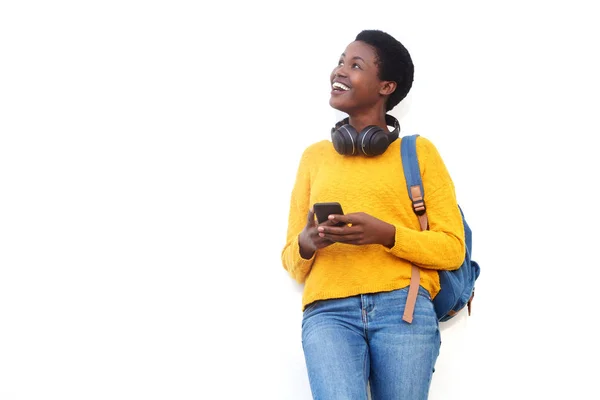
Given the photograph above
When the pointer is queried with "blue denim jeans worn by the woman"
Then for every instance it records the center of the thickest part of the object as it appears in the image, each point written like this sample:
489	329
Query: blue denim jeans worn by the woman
362	339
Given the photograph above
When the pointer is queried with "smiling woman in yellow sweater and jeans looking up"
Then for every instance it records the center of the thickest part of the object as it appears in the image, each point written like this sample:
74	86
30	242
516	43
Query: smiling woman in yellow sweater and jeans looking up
356	277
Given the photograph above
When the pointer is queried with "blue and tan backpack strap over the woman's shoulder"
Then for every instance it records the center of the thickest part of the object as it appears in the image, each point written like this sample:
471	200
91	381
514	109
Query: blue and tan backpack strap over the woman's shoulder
412	173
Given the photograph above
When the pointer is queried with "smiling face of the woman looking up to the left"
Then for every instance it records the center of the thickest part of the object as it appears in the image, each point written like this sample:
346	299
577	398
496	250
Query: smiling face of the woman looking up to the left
355	83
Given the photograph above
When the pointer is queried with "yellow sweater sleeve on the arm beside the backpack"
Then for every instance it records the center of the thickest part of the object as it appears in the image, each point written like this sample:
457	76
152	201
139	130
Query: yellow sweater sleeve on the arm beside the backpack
442	247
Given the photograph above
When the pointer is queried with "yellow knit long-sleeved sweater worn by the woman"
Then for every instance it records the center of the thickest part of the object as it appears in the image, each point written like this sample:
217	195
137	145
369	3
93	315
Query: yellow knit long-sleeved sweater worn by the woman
376	186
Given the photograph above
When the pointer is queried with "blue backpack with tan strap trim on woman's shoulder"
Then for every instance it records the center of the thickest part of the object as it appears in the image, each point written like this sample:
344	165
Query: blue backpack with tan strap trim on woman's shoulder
457	286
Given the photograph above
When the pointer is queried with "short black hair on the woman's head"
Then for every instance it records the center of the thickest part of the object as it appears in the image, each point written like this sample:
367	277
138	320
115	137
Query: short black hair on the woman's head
394	61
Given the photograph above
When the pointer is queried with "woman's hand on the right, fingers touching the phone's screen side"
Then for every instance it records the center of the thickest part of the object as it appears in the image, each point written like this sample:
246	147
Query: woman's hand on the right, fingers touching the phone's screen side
360	228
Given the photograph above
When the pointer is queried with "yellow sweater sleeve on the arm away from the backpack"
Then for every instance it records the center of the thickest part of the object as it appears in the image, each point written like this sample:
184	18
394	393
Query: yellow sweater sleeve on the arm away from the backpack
292	261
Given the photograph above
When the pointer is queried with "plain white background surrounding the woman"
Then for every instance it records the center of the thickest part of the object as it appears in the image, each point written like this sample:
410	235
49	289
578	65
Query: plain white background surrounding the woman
148	151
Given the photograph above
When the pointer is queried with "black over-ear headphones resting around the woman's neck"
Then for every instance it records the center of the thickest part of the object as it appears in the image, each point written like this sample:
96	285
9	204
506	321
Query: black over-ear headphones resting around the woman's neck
371	141
